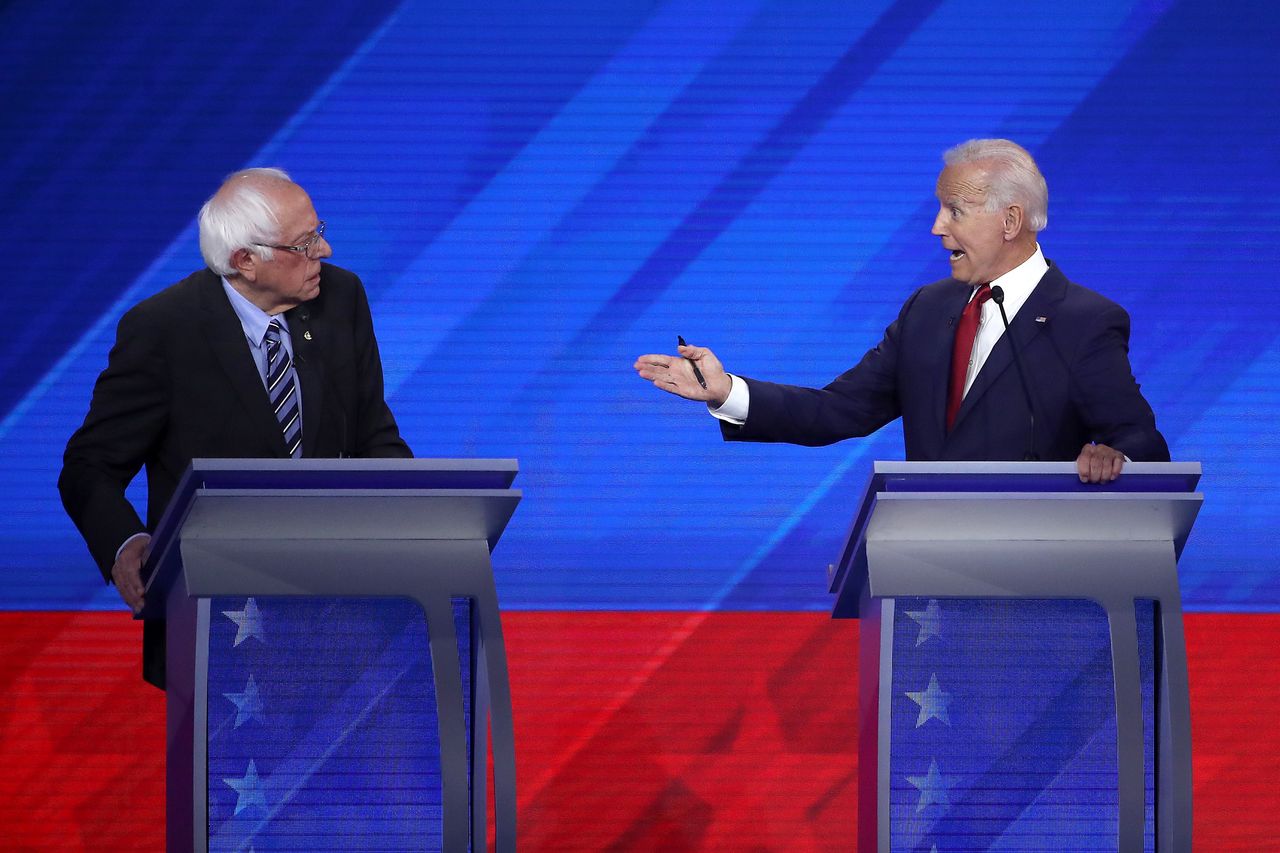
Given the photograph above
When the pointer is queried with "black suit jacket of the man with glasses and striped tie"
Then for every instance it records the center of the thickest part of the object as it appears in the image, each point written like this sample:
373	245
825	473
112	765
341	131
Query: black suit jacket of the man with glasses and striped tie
181	384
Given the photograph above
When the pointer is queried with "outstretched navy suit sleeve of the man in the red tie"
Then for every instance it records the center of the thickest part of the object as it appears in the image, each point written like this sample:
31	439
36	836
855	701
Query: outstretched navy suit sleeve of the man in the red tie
856	404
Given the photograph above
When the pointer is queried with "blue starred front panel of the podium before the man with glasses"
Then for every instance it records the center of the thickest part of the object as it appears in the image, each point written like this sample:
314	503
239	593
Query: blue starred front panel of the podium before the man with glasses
323	726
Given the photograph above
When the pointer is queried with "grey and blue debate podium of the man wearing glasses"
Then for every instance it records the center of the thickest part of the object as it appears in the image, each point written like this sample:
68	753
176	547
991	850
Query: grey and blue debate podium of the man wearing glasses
336	668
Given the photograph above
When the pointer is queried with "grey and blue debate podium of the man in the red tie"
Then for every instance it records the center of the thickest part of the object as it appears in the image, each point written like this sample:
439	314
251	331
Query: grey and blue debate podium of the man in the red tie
1022	659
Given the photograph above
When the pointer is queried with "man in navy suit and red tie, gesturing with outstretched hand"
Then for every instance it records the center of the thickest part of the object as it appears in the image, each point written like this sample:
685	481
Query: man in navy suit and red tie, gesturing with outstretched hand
947	366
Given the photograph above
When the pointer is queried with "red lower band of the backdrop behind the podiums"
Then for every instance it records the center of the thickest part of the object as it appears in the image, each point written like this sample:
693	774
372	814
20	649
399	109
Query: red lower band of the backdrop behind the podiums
634	732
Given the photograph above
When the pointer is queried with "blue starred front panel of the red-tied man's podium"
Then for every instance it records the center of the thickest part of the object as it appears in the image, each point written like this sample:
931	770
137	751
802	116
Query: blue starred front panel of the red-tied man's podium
1004	726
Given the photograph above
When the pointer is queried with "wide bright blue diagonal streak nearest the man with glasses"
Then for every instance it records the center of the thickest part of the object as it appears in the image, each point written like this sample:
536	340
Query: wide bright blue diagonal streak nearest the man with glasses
520	207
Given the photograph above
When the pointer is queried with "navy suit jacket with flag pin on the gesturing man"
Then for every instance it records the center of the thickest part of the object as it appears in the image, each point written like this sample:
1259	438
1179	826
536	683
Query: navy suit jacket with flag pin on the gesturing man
1076	352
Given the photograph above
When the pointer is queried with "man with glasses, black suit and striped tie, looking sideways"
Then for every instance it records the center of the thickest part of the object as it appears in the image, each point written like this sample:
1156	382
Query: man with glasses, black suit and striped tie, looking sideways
269	353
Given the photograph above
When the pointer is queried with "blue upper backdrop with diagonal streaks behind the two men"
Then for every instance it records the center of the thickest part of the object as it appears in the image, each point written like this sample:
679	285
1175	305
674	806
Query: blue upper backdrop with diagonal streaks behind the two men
536	194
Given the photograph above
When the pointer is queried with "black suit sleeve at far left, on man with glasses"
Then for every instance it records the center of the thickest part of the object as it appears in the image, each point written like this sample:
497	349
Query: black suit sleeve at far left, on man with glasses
126	416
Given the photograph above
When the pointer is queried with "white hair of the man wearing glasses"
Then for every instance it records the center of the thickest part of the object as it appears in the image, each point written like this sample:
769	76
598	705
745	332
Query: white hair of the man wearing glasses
239	217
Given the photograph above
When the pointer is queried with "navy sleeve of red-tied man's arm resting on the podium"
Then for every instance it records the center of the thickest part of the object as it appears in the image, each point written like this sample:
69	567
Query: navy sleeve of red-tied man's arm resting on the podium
1108	396
